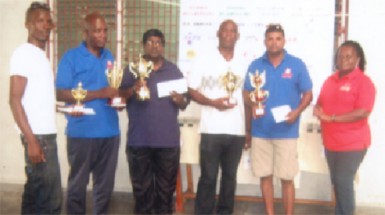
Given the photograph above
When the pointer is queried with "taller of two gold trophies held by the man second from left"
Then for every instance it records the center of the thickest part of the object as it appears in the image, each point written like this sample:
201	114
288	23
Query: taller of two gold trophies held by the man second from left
114	77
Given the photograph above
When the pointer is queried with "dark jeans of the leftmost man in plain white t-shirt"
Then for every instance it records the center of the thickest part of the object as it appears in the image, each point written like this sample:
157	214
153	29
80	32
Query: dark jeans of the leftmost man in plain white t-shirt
42	191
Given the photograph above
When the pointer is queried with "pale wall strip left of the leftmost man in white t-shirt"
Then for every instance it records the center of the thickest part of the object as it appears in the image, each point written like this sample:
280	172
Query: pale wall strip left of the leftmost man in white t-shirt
14	33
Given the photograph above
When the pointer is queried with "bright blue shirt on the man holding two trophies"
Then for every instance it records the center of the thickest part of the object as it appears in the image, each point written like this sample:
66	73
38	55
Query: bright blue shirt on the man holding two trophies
80	65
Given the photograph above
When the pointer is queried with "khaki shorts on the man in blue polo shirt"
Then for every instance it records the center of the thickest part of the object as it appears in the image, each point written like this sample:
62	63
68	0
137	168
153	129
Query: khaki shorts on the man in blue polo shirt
276	157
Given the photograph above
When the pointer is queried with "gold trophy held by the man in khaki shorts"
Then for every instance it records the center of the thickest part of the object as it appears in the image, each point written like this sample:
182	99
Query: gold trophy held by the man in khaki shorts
258	96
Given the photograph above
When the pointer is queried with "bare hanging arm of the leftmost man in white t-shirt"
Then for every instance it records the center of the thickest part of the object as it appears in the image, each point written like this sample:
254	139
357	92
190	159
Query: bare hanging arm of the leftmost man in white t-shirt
16	92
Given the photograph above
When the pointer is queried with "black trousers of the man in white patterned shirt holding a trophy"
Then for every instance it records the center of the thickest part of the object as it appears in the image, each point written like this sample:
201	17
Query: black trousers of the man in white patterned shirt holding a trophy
218	150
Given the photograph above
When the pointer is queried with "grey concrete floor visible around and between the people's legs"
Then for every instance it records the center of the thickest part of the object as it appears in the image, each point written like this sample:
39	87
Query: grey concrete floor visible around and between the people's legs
122	203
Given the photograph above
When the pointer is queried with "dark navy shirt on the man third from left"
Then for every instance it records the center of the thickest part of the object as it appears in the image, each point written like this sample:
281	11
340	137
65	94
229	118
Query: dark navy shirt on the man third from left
153	123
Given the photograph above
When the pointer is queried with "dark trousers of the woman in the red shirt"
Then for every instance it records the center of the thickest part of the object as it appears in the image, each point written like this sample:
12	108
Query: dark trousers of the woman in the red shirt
343	167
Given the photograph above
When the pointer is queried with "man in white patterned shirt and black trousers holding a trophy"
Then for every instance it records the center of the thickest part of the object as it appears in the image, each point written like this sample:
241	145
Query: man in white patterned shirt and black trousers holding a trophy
215	83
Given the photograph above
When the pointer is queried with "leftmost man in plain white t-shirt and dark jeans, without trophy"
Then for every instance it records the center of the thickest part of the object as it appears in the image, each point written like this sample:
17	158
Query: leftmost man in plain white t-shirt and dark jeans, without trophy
32	101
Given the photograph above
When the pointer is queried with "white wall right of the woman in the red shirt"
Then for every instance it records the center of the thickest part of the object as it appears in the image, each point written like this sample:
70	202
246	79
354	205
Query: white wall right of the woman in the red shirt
366	25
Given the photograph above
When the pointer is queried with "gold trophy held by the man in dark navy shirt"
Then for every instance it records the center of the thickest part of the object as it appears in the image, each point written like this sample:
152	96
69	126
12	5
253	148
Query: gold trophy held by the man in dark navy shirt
141	68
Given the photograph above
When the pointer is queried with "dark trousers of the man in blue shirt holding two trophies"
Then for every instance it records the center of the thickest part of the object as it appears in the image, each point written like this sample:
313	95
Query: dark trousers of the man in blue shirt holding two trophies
98	156
